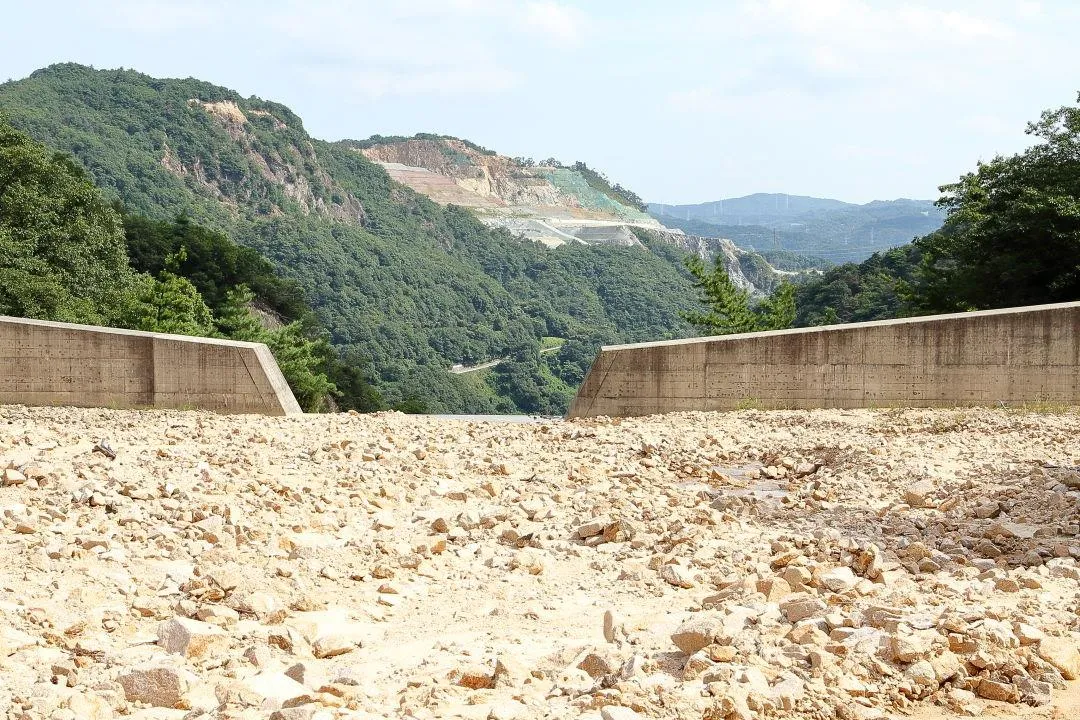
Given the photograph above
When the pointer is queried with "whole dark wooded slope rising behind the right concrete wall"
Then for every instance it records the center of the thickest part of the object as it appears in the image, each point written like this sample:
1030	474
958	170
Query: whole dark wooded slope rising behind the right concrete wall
1011	238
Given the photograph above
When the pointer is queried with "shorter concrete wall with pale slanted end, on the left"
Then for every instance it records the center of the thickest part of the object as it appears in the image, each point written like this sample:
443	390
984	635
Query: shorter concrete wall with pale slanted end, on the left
45	363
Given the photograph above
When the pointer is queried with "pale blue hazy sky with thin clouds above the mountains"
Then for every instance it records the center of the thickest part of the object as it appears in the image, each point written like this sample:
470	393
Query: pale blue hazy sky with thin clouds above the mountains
680	101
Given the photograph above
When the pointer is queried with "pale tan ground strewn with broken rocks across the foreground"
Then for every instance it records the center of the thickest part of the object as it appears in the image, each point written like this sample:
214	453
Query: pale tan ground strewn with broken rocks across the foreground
850	565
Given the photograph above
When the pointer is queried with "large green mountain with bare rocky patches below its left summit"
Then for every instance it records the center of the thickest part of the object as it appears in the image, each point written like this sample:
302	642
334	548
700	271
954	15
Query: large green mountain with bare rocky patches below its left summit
399	280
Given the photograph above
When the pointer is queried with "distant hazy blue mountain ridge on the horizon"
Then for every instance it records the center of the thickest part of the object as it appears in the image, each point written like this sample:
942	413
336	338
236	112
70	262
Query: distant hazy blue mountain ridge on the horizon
829	229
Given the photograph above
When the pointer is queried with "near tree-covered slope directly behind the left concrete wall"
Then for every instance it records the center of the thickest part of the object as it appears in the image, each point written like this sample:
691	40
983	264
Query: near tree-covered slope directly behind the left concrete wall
67	255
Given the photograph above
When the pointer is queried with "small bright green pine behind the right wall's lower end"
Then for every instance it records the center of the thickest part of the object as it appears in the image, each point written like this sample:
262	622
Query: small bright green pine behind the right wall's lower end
730	308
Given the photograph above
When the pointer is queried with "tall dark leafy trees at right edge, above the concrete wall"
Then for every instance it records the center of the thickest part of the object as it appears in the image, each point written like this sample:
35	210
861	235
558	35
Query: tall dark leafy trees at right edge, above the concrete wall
1012	234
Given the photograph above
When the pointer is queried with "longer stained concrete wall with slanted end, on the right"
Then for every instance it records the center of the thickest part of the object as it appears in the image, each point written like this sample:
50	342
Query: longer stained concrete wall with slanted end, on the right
1016	356
